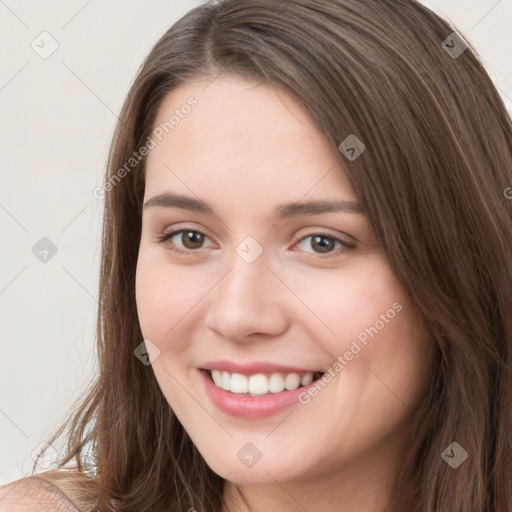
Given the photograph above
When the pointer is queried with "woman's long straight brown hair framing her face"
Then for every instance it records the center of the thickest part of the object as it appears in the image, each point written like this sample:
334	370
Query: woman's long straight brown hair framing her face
433	183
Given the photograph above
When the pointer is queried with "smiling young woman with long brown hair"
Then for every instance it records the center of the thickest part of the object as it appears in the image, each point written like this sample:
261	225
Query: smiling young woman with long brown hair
306	281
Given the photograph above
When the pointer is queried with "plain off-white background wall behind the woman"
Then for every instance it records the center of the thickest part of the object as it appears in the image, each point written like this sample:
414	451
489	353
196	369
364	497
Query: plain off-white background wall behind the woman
57	120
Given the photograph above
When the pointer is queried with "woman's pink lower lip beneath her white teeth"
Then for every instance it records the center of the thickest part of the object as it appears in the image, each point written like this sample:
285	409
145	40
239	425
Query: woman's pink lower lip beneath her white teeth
249	407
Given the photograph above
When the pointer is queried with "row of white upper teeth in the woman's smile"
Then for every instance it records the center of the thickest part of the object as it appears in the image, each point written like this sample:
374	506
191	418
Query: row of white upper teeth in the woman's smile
260	384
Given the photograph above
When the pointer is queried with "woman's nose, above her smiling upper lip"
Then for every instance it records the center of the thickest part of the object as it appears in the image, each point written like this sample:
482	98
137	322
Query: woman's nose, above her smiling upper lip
249	299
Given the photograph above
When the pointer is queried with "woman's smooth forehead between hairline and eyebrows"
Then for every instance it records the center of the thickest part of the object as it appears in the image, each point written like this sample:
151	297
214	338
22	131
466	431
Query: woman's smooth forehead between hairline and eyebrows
253	135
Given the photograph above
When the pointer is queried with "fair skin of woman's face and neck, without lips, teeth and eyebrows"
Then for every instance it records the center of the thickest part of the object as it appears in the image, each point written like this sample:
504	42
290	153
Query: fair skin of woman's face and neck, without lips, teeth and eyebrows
242	143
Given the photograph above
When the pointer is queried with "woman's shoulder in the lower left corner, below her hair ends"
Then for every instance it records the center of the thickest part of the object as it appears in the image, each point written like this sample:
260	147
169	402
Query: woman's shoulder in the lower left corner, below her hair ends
35	493
